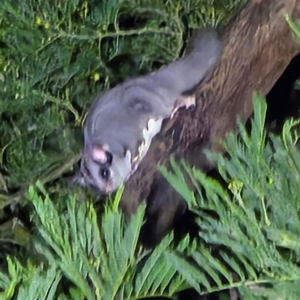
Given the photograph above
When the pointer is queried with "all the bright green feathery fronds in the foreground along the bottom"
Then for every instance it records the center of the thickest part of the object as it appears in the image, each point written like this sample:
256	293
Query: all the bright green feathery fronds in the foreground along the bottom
248	233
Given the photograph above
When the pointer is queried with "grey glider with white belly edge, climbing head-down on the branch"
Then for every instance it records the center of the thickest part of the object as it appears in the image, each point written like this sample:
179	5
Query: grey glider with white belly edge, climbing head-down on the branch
122	121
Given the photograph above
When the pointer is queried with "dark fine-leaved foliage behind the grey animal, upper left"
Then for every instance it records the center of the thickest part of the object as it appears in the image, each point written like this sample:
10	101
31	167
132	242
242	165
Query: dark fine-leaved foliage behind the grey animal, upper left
56	56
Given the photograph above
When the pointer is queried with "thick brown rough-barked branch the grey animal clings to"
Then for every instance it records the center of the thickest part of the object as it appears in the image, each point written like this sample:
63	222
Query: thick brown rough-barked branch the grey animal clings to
258	46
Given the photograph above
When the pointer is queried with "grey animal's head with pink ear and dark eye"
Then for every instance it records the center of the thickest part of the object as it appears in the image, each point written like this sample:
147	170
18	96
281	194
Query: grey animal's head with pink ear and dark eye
105	170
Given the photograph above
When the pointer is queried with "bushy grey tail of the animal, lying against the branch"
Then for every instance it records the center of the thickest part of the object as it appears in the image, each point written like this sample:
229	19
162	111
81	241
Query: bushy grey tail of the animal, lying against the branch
185	73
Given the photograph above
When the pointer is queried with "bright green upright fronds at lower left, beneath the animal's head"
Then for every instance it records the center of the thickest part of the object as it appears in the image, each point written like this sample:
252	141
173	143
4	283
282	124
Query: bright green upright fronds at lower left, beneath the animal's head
100	258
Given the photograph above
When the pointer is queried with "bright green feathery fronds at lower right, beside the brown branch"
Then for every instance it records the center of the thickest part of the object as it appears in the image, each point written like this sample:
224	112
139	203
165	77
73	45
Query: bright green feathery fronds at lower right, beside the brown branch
254	235
